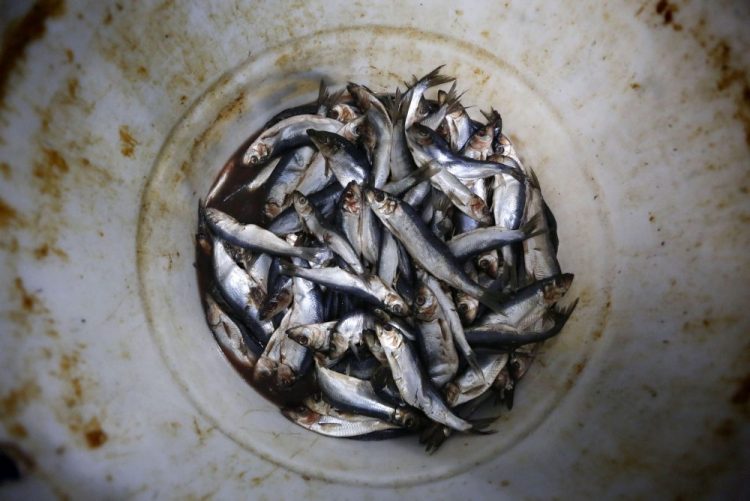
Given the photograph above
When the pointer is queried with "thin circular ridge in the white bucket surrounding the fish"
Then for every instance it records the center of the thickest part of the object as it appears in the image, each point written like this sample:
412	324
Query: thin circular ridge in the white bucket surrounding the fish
201	112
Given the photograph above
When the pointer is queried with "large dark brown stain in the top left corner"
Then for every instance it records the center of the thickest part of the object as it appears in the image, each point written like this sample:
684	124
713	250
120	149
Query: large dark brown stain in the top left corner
22	33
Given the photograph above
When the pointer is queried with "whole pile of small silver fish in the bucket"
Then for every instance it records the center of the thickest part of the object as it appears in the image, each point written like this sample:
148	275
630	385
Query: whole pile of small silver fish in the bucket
402	270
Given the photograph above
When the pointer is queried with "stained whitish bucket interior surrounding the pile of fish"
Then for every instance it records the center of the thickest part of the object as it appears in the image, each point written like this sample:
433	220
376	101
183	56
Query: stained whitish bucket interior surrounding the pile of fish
114	119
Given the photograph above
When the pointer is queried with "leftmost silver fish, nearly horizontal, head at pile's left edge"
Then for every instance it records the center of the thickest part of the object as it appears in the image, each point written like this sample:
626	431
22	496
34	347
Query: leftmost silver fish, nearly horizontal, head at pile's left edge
254	237
